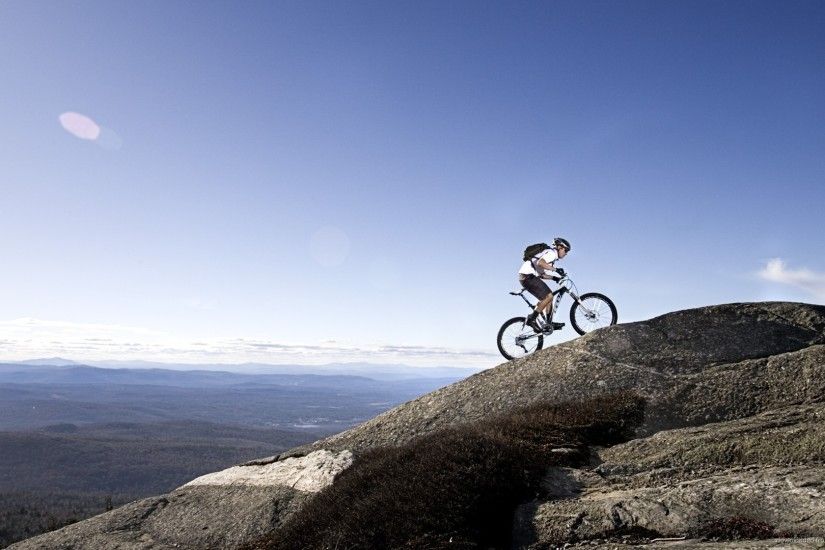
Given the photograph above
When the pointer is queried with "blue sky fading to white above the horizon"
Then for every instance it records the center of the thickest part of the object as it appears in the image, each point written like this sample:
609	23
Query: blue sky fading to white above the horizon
312	181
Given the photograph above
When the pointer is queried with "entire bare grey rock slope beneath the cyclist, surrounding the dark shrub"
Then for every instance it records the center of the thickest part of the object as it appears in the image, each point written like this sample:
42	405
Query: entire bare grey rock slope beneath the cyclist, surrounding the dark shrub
732	429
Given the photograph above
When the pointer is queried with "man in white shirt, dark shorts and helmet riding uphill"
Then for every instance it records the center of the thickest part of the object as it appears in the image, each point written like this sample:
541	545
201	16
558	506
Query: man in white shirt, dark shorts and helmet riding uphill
541	266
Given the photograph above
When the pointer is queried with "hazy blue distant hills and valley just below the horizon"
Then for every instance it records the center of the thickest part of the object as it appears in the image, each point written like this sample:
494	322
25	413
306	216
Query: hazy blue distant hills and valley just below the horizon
36	395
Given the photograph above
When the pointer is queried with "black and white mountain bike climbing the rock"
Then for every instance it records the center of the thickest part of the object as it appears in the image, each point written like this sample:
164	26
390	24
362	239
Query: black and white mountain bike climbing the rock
589	312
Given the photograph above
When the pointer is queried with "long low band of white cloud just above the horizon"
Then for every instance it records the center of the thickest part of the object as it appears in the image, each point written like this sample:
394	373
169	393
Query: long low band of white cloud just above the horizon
29	338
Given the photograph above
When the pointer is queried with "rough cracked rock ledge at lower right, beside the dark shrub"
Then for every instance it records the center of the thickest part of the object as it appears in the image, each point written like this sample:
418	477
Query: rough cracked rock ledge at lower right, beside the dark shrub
769	468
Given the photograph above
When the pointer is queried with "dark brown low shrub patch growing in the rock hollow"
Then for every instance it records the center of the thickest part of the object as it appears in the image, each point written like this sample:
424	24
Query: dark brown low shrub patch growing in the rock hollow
456	487
